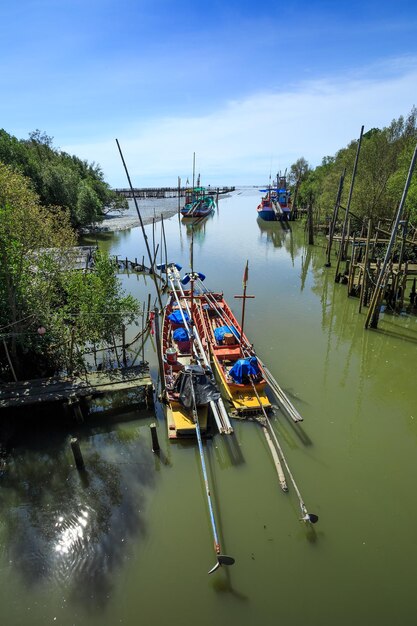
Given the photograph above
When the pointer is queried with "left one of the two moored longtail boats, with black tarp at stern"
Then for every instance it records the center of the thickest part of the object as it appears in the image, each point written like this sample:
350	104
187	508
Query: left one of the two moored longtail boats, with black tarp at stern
189	386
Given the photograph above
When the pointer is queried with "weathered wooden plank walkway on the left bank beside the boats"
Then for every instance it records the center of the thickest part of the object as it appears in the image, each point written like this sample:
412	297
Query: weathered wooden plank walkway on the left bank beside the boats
34	392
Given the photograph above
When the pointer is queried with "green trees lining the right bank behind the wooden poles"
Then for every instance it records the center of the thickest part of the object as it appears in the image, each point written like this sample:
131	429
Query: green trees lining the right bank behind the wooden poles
383	165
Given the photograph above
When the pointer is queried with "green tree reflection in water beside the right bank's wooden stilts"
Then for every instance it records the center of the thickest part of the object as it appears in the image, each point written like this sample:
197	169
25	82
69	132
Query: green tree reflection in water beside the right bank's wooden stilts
380	358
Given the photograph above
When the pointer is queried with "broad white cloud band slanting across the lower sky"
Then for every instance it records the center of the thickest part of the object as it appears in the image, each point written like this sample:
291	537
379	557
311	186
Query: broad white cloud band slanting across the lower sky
241	142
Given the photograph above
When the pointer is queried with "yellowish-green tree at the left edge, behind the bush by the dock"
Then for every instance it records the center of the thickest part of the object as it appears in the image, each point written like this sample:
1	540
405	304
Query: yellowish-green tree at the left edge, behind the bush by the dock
27	232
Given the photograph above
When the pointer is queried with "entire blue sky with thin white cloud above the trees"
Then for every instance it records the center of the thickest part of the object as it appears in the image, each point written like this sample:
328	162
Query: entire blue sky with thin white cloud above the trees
248	86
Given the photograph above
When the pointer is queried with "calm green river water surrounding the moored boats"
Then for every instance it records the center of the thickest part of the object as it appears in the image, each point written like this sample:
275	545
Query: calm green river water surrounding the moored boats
130	542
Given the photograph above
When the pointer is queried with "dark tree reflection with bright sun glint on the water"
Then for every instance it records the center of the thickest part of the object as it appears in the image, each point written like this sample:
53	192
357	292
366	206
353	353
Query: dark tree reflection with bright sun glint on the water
70	529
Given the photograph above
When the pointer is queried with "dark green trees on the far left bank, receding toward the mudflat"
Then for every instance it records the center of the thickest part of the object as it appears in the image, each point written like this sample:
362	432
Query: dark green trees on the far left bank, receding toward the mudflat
61	179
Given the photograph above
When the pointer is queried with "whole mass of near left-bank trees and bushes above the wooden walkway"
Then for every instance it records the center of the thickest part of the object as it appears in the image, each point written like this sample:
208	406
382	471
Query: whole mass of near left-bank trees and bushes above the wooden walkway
49	313
